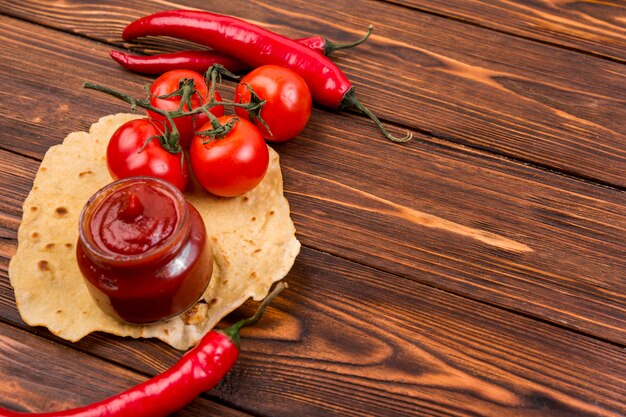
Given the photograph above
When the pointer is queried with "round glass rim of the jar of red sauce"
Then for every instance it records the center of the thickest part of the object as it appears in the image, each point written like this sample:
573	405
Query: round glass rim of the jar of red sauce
170	245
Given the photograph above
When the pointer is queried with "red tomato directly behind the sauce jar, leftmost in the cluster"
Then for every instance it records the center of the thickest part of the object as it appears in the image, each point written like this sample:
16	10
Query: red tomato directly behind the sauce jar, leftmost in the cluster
126	158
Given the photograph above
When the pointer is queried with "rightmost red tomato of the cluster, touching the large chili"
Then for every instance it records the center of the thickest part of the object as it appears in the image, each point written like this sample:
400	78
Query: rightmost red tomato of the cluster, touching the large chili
288	101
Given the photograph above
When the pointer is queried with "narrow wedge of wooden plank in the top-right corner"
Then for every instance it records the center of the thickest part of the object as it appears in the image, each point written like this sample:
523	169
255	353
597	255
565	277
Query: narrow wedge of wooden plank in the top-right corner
597	27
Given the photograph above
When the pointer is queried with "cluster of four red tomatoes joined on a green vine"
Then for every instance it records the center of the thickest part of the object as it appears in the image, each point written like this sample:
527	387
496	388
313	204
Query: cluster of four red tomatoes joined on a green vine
228	154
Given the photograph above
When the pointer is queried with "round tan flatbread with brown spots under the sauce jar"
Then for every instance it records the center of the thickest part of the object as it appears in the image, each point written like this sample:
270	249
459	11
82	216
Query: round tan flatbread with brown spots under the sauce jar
252	236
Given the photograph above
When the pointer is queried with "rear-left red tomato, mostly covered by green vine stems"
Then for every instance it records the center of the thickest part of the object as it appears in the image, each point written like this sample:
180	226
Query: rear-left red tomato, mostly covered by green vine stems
168	83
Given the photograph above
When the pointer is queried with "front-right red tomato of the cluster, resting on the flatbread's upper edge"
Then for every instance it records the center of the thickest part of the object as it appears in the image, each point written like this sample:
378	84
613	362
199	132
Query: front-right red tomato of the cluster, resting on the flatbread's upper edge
233	164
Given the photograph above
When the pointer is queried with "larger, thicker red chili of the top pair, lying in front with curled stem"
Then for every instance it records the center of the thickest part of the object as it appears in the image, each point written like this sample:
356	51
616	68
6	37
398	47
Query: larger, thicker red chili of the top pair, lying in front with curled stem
256	47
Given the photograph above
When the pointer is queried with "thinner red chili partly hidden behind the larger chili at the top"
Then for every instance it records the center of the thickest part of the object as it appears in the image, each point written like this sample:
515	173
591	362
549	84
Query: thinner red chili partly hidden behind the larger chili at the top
200	61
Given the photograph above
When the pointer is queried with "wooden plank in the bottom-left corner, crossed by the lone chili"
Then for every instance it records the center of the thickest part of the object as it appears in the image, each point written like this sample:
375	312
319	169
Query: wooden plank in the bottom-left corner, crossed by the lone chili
39	376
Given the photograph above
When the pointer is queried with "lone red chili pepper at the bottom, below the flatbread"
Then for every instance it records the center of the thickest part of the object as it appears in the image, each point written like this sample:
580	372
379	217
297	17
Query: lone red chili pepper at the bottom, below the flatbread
197	371
